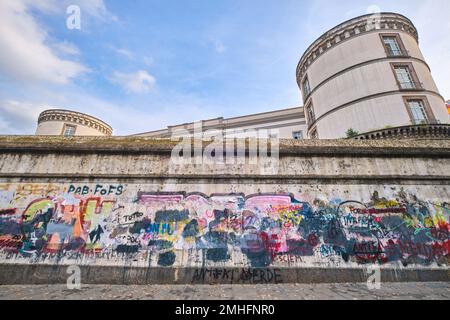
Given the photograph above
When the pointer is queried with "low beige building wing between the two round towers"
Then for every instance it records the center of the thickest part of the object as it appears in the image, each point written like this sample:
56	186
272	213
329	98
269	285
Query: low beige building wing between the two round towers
284	124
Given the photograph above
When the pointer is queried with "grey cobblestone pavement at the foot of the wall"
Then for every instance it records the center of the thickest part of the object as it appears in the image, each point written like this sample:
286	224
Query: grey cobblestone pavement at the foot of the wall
430	290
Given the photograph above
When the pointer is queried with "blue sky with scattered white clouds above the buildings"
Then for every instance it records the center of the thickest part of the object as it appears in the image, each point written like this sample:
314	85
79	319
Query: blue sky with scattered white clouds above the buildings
141	65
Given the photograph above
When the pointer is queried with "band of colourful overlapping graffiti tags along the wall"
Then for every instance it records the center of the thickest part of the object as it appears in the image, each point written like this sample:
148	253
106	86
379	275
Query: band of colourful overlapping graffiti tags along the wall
114	223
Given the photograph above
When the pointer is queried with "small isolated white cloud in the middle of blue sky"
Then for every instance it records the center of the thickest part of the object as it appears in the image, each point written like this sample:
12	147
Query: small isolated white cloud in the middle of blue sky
136	82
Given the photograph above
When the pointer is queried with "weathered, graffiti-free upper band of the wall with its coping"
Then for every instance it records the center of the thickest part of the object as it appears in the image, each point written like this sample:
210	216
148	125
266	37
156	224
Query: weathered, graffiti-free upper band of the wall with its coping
144	158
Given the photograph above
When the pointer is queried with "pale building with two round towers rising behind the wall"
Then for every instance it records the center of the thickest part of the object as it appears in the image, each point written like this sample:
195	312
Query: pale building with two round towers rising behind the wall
365	78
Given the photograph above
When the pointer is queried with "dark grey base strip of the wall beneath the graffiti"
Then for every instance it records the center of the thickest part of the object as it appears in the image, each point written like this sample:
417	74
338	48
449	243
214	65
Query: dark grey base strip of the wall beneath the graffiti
45	274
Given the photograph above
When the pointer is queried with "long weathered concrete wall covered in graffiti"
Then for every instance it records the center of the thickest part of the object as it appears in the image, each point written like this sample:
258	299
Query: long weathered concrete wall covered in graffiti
119	202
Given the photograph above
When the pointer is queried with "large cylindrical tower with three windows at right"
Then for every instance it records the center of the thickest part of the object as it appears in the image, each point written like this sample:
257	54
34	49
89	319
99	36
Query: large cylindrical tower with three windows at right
368	74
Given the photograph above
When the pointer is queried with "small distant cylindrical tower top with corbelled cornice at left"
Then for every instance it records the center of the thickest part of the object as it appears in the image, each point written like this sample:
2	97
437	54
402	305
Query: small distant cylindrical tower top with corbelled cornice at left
68	123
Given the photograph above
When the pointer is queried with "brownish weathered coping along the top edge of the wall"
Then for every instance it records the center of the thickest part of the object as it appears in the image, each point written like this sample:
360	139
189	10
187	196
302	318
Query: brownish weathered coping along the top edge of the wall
145	145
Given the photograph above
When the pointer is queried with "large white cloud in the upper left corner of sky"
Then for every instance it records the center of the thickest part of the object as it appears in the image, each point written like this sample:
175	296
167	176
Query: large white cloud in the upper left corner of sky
24	54
